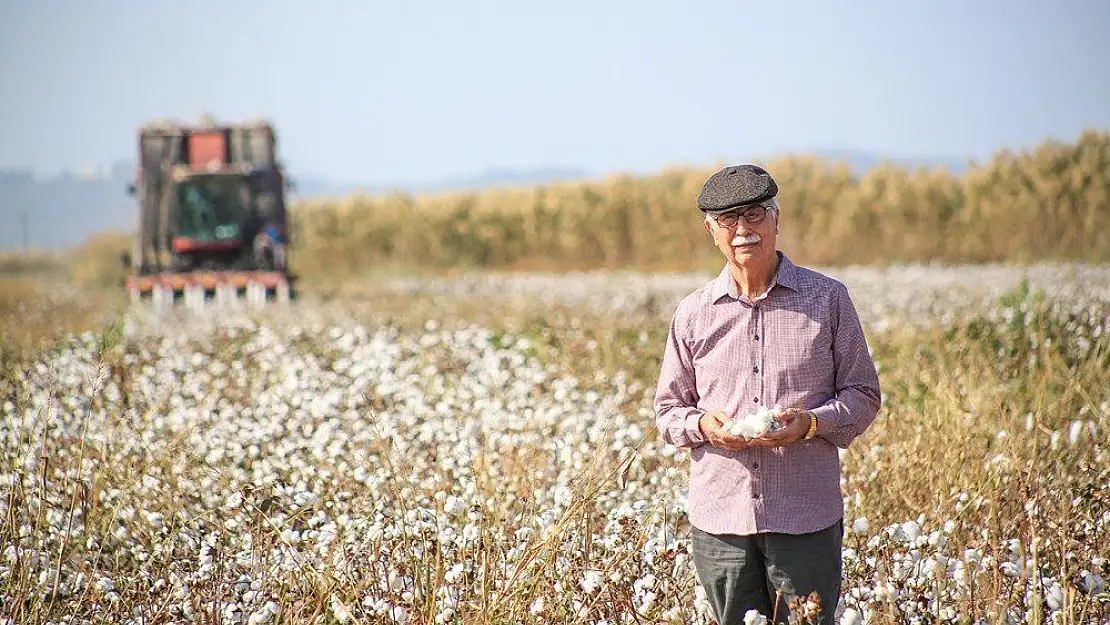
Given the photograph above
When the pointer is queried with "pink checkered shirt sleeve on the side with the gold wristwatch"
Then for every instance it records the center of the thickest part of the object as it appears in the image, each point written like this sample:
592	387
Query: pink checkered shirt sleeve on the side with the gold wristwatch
854	408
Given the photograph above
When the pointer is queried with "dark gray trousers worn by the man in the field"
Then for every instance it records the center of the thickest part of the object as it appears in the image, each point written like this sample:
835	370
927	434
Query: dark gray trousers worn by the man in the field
743	573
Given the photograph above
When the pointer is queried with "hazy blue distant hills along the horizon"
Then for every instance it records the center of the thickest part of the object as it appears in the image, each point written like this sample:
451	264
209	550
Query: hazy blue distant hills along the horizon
64	210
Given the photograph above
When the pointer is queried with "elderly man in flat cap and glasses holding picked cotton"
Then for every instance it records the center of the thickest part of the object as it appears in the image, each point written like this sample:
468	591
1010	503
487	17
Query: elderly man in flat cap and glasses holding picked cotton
768	512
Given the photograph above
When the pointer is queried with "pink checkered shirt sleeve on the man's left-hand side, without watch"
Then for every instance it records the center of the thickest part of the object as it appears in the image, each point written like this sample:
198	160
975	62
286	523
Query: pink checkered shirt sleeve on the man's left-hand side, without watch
677	399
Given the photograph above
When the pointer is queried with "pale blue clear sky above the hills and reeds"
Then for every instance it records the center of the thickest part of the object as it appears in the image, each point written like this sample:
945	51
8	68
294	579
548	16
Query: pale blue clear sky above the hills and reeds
406	92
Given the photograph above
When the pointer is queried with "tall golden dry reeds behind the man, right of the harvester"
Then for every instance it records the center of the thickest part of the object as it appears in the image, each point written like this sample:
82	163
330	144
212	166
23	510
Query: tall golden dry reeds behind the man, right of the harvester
1052	203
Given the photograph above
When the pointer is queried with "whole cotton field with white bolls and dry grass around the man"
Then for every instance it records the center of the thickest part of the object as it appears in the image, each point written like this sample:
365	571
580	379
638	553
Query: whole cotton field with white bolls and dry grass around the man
393	459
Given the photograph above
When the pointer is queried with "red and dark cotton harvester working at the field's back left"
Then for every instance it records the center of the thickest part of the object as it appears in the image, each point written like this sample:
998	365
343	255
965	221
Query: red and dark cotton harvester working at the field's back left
213	219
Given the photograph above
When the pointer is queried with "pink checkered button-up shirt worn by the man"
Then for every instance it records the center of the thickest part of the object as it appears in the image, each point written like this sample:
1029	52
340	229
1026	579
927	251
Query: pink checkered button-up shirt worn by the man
800	346
